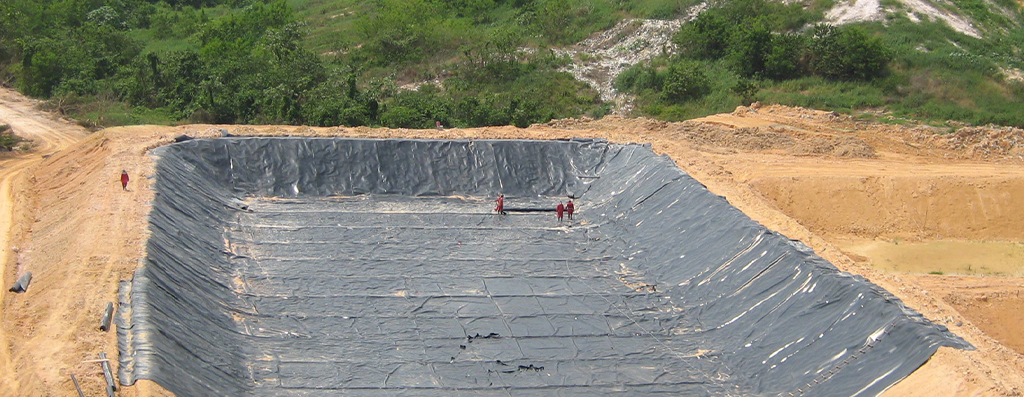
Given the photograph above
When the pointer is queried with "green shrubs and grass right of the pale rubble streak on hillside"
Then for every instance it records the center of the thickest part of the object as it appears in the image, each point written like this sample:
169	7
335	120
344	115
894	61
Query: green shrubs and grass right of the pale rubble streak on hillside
760	51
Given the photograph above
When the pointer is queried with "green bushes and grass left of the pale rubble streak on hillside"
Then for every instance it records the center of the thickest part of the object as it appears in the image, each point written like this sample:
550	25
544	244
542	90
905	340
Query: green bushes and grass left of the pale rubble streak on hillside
121	62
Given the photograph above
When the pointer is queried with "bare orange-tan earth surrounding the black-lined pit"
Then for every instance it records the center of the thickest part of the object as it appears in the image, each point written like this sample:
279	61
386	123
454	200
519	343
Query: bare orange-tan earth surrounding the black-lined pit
826	180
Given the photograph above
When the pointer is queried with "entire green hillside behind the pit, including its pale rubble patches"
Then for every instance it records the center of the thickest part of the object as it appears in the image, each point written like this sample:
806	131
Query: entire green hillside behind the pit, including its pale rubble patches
410	64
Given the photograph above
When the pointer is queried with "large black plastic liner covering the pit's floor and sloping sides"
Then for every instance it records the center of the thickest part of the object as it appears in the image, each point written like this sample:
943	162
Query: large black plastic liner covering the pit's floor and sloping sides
322	268
